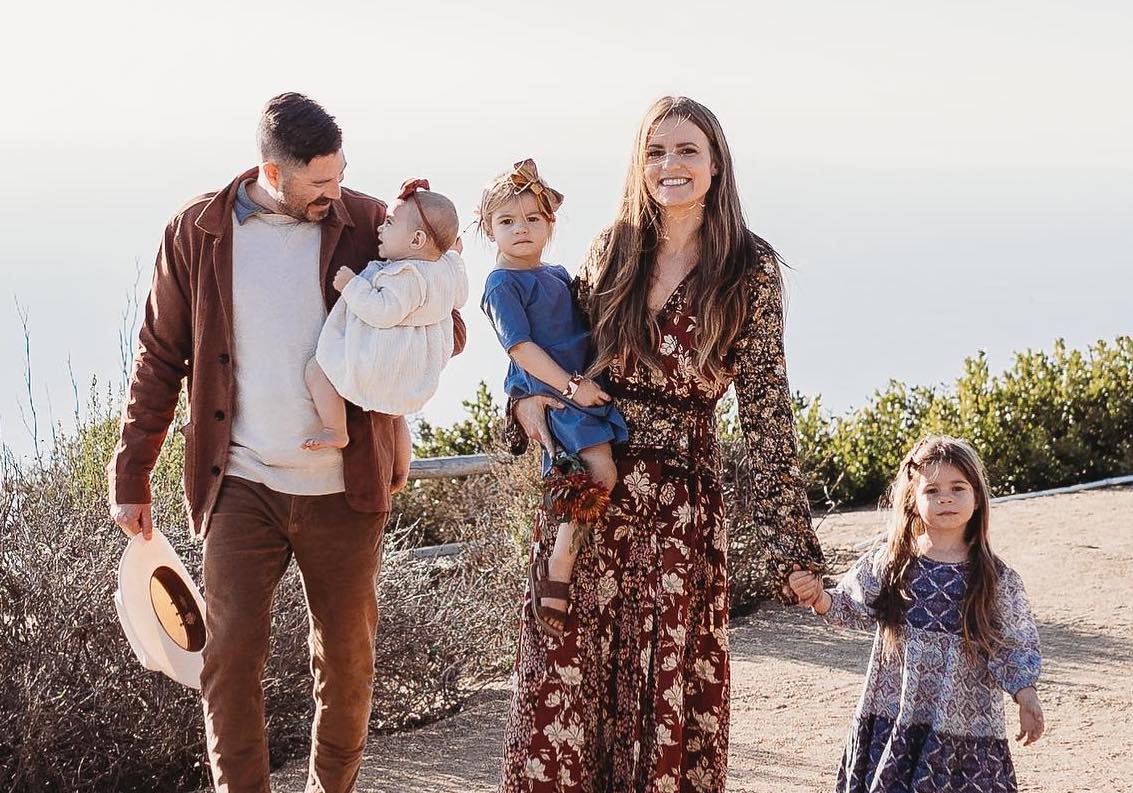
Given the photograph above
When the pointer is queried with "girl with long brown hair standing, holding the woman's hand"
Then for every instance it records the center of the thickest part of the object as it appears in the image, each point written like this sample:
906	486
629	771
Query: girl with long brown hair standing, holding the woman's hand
953	629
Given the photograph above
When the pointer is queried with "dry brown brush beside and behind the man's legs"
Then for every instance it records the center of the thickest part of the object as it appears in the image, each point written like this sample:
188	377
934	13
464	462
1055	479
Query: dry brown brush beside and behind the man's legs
80	714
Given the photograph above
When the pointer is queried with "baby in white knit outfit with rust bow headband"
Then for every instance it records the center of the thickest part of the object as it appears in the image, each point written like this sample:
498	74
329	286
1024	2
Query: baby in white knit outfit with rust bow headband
390	335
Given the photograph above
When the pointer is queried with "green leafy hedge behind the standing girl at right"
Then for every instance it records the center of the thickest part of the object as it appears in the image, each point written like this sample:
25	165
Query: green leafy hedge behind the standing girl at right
1051	420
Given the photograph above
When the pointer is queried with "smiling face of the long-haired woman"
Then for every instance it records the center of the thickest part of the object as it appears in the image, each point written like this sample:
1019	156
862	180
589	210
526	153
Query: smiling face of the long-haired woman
678	164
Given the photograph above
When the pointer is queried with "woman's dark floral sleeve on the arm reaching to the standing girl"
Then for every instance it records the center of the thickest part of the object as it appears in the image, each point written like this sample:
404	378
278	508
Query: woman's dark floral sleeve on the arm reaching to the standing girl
780	508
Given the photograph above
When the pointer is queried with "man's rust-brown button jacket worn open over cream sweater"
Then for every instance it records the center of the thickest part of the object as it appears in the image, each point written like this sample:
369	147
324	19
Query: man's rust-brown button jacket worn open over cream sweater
188	332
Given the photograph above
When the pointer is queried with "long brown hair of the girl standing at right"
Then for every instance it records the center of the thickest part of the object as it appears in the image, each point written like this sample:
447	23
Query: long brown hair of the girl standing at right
979	618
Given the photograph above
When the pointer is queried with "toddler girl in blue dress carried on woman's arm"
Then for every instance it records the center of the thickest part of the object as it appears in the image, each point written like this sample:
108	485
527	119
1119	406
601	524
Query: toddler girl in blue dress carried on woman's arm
531	308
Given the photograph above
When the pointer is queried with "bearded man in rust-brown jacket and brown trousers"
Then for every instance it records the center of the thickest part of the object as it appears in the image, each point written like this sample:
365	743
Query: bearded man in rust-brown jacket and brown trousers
241	292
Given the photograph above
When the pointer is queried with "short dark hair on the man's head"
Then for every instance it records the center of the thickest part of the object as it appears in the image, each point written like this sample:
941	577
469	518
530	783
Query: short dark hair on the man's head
296	130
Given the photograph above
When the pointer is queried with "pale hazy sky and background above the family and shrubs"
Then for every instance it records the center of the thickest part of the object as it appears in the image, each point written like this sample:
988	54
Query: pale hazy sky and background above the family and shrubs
942	178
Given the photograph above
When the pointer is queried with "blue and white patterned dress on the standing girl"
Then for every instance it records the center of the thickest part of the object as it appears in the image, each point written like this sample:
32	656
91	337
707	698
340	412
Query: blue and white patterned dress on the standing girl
932	721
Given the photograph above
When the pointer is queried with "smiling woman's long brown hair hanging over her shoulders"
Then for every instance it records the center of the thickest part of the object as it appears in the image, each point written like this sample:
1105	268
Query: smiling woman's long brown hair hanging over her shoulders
623	326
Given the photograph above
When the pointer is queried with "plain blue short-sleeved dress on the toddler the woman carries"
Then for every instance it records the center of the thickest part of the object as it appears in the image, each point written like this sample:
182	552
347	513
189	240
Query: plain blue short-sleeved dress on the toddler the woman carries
536	305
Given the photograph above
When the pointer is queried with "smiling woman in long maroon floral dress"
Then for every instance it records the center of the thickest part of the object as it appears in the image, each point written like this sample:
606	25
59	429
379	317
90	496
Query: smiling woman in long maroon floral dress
684	301
